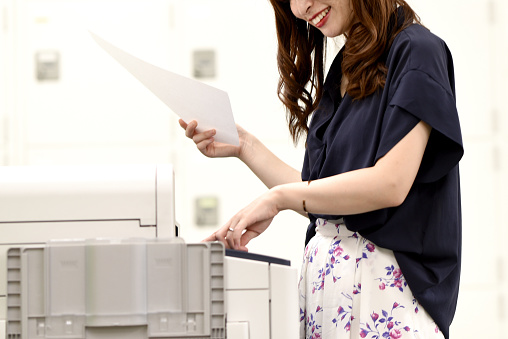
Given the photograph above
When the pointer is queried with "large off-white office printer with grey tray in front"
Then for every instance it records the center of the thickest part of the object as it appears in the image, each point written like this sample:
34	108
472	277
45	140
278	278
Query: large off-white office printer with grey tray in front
92	252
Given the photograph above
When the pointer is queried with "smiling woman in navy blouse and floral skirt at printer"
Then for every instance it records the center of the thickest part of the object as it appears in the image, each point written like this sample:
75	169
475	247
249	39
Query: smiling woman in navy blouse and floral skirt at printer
380	178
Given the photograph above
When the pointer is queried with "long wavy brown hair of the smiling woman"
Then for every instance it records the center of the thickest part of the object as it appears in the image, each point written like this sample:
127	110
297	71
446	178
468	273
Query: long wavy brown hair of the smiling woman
301	54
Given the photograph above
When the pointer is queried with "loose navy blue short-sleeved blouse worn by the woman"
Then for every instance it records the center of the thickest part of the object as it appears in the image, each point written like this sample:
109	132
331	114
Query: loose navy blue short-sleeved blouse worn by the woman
425	231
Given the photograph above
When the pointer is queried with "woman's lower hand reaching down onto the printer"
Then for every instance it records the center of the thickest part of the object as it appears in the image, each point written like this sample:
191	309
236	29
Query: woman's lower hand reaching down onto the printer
247	224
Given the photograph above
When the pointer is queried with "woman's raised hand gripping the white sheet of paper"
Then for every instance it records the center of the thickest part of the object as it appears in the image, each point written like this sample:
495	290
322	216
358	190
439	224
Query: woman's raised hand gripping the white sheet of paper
206	143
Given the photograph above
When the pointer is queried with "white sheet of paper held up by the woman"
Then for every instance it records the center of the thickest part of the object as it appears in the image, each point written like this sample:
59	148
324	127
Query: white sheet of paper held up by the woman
188	98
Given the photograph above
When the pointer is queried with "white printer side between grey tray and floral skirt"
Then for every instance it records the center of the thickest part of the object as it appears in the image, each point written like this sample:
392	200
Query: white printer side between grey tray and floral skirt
266	295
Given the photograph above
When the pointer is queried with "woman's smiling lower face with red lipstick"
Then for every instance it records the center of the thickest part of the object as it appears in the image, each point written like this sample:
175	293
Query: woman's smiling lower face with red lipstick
332	17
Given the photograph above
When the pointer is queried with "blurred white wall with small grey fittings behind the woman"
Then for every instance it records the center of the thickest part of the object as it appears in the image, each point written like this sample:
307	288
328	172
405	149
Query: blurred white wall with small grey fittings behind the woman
63	100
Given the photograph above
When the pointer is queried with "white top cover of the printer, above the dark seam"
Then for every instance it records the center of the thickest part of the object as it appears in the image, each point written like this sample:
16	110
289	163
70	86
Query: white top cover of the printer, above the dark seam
83	193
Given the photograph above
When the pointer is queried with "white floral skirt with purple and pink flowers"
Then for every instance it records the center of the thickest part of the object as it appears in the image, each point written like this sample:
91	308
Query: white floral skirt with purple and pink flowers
351	288
